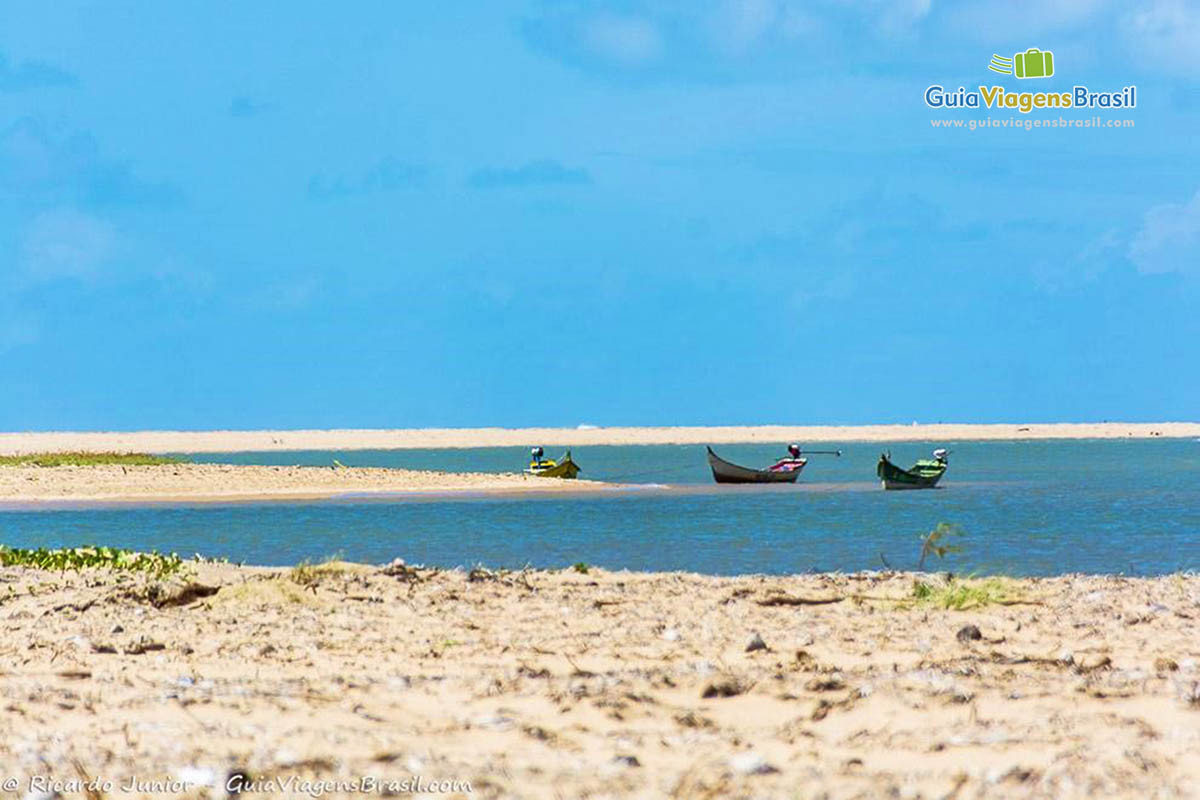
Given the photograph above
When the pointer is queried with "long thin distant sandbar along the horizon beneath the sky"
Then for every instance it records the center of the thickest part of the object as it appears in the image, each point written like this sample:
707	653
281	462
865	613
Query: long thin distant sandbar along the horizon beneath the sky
275	441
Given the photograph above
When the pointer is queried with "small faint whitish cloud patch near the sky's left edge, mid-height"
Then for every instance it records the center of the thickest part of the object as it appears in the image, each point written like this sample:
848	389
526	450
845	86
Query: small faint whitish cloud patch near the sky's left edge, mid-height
67	244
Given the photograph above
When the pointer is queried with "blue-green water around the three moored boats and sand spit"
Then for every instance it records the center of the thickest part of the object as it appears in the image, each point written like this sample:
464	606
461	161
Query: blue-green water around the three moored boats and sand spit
1030	508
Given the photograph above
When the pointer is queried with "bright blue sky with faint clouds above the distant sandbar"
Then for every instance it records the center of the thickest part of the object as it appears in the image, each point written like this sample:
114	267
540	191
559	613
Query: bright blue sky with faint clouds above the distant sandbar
394	215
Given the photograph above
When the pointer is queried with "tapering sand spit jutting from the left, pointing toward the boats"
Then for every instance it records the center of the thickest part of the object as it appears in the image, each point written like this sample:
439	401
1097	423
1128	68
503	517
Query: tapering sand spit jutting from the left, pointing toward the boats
197	483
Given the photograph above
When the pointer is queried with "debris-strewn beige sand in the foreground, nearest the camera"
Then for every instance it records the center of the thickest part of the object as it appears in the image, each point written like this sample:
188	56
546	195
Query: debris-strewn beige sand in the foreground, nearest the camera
601	685
